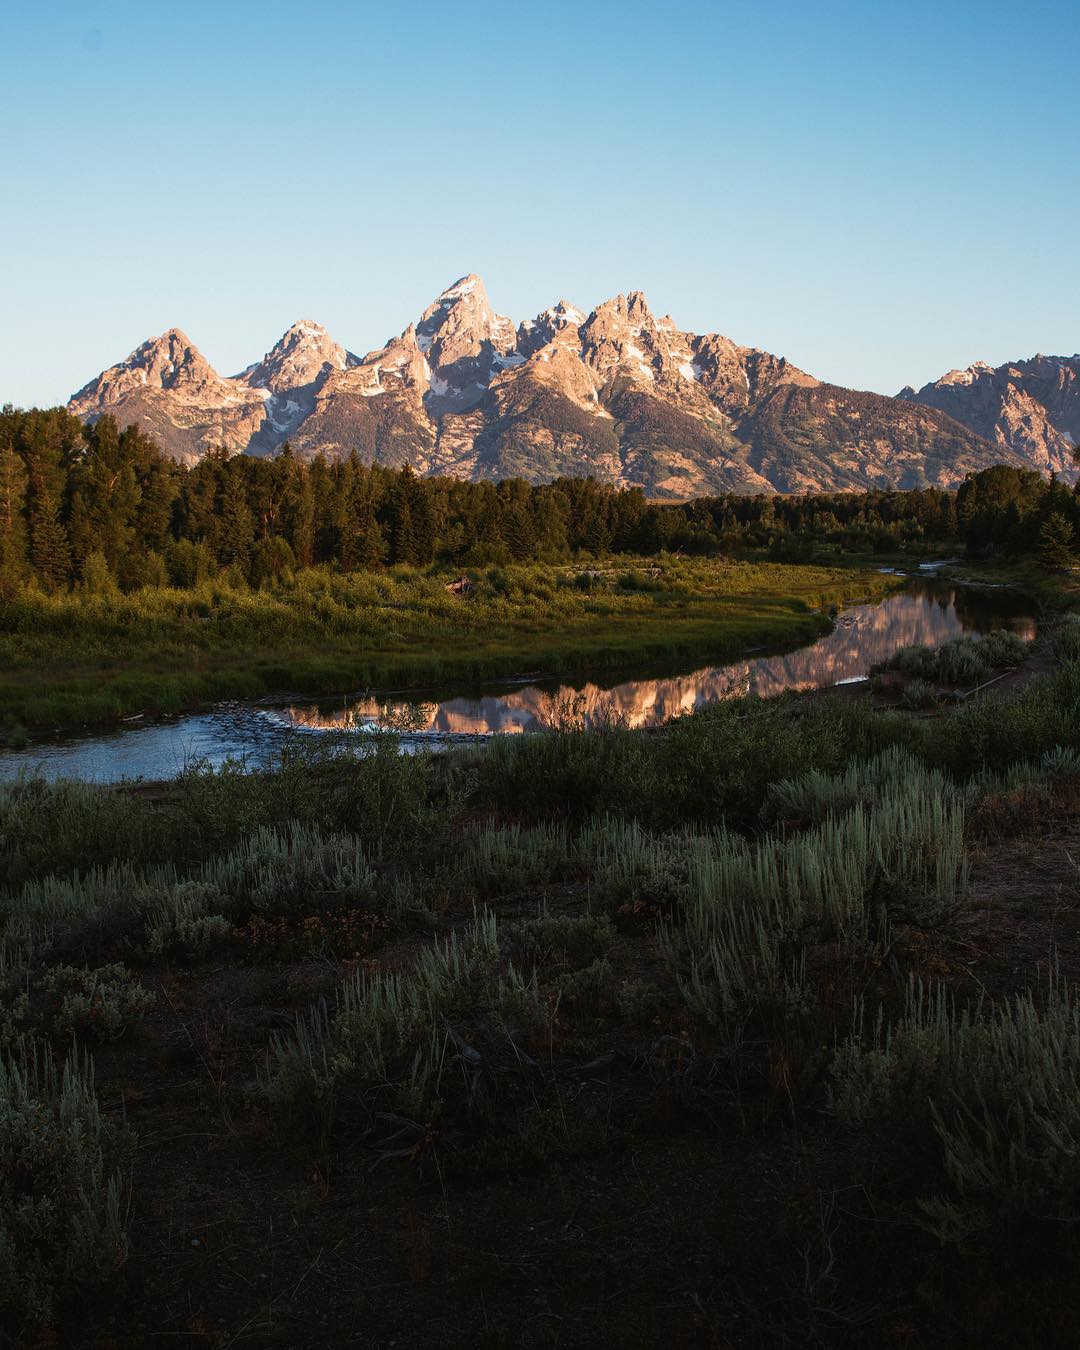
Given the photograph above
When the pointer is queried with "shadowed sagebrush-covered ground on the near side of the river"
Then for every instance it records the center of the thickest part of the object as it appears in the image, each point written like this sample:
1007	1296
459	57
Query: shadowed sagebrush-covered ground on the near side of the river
761	1028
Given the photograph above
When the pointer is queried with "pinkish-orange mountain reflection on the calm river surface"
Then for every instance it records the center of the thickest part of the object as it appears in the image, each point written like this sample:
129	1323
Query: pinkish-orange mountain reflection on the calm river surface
862	638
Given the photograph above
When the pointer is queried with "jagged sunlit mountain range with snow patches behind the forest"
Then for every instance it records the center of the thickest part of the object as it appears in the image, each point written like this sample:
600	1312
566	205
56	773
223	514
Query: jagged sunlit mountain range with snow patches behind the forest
616	394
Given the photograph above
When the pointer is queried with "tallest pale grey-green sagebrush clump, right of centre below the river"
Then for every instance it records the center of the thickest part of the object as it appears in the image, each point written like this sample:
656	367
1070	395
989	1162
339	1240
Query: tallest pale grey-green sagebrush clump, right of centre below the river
889	846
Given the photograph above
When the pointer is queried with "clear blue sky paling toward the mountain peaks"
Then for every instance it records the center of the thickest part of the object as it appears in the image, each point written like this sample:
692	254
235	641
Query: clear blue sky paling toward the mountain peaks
877	191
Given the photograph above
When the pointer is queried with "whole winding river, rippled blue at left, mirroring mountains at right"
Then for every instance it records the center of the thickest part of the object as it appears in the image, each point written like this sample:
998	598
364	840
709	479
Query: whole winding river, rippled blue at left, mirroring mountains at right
925	614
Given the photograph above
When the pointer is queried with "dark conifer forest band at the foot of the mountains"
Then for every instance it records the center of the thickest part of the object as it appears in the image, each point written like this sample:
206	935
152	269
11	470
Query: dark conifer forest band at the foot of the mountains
103	506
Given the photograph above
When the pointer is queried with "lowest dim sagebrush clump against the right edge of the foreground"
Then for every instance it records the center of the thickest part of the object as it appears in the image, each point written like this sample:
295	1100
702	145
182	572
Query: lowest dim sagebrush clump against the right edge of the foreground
1001	1091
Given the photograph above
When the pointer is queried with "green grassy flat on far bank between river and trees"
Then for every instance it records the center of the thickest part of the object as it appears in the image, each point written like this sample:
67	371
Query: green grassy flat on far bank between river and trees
76	661
